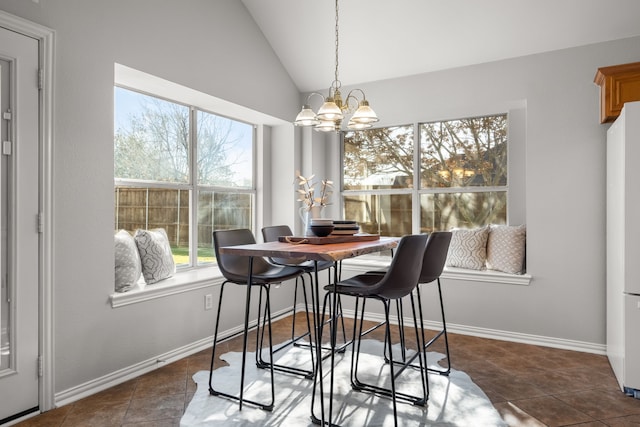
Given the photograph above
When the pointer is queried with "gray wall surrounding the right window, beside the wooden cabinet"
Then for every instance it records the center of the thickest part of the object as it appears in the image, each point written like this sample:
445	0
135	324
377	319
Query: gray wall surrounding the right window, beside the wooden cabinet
564	190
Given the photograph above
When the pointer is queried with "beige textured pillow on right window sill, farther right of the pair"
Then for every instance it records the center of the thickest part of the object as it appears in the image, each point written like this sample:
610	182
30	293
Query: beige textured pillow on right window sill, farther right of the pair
506	248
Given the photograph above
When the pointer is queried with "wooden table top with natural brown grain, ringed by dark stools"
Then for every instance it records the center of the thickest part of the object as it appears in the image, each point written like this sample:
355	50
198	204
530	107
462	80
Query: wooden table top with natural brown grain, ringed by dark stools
328	252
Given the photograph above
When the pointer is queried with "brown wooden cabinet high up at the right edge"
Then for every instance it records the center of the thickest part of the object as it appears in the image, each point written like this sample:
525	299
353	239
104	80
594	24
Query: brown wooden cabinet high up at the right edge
618	84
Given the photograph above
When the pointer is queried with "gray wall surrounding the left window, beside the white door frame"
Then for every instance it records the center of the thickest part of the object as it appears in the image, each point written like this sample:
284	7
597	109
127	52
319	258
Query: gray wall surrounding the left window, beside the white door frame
213	47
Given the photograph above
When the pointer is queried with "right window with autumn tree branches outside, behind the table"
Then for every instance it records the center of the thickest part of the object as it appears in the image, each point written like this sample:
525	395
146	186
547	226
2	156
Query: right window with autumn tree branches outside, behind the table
462	170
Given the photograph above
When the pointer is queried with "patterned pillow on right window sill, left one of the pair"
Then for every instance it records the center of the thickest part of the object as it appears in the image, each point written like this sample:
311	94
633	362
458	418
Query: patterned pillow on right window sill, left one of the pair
468	248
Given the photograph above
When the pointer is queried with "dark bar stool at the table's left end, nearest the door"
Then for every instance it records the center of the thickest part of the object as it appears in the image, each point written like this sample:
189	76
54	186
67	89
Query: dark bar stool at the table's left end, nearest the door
235	269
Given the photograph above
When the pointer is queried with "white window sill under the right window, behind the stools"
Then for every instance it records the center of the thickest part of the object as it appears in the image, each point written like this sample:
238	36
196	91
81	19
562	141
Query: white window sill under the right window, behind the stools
364	264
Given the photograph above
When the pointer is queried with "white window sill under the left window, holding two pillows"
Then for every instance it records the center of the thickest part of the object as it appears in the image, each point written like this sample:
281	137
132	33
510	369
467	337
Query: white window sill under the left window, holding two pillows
184	281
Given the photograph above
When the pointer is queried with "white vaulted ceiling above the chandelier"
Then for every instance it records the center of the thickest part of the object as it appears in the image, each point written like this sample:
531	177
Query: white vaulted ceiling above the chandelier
381	39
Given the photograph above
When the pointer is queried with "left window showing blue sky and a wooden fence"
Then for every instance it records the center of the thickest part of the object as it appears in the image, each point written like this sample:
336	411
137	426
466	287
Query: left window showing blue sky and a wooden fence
183	169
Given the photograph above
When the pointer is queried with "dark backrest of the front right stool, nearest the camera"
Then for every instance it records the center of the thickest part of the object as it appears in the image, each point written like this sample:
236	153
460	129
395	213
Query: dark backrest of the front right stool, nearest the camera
404	271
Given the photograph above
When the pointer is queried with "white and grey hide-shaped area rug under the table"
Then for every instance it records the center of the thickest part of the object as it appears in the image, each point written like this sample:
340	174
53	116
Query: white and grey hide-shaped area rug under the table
454	400
